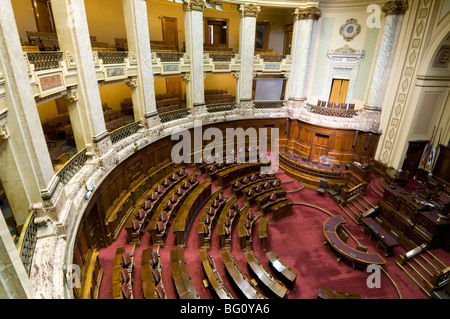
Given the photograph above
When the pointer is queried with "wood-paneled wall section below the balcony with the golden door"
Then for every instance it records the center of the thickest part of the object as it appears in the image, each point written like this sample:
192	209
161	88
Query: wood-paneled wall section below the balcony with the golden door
344	145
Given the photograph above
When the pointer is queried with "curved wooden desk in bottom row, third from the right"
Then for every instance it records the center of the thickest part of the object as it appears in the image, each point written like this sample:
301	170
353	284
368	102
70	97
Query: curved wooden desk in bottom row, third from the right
244	286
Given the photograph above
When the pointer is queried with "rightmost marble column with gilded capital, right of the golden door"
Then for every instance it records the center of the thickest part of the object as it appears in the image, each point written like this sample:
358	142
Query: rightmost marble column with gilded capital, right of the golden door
394	11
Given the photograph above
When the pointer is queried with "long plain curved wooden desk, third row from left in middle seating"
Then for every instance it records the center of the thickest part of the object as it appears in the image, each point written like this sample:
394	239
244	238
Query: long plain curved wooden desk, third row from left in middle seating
189	210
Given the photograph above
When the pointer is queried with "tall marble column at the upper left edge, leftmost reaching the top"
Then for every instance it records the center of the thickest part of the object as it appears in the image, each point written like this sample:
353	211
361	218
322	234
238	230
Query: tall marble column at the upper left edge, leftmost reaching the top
25	166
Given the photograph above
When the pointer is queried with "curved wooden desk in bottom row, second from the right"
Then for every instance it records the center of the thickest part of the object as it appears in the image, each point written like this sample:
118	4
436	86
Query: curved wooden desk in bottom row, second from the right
272	286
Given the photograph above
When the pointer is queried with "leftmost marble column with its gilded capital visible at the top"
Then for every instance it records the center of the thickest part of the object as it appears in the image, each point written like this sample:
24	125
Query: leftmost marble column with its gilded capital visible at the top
193	26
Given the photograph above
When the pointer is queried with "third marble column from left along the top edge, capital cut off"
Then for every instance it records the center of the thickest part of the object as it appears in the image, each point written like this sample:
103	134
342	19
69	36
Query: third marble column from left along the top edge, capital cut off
138	38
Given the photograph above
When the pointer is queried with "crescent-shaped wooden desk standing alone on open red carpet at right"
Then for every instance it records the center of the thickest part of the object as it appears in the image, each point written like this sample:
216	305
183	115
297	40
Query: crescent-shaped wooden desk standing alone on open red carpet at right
331	228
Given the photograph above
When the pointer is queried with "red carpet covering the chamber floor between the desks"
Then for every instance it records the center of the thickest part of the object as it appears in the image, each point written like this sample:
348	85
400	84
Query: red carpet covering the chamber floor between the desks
297	240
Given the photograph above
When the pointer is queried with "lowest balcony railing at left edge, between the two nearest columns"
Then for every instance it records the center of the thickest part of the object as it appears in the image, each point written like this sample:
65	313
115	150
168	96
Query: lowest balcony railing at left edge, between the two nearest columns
27	242
